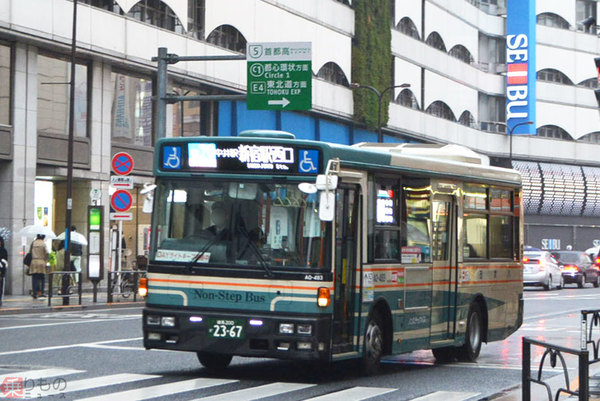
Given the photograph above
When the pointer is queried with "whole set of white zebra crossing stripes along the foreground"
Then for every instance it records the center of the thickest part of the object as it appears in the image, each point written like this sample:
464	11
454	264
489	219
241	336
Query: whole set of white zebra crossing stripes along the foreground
146	388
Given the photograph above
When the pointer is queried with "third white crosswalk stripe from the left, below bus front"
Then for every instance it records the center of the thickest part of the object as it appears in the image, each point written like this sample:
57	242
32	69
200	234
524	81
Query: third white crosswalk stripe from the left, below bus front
160	390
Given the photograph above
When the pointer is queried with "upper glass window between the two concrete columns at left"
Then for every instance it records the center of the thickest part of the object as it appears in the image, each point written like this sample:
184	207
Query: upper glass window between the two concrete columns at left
53	96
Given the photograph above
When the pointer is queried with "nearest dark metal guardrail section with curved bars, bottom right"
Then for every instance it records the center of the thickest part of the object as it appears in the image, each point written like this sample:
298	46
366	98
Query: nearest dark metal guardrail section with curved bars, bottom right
555	353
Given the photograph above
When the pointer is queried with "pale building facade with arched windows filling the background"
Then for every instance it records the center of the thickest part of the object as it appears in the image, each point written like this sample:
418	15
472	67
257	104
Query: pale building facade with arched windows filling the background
452	53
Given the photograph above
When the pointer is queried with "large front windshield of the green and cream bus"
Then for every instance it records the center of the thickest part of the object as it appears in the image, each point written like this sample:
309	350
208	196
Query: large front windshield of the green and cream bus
239	223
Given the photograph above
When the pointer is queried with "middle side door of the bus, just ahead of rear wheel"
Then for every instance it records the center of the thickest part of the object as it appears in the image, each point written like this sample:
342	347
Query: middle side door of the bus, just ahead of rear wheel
443	311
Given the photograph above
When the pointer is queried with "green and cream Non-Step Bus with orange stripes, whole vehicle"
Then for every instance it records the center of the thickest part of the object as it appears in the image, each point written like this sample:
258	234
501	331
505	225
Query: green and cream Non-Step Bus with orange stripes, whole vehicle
267	246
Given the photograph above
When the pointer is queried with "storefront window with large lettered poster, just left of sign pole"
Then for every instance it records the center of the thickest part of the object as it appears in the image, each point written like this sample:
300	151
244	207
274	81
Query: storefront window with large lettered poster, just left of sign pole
131	116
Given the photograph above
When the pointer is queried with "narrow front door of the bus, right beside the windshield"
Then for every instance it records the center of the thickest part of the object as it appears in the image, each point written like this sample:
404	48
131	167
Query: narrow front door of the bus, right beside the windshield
347	224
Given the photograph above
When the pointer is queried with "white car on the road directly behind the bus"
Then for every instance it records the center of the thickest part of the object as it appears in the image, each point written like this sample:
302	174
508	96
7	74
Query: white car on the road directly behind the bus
541	269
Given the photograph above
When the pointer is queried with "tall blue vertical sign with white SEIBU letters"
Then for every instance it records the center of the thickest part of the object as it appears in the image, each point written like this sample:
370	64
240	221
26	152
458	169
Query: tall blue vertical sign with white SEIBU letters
520	64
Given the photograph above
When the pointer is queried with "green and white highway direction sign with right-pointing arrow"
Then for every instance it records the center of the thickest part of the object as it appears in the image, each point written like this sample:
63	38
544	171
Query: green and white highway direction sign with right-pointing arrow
279	76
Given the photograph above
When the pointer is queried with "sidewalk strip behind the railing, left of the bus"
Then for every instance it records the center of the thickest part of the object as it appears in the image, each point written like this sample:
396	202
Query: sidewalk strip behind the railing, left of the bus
12	304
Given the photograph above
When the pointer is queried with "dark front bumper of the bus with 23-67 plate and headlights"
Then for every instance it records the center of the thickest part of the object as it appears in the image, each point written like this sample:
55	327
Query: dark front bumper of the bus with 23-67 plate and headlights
269	336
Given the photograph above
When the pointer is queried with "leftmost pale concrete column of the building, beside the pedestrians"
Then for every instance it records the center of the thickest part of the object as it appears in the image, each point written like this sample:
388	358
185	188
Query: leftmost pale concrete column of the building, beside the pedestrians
17	178
